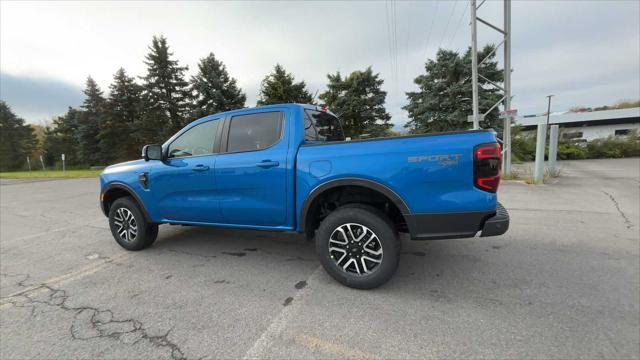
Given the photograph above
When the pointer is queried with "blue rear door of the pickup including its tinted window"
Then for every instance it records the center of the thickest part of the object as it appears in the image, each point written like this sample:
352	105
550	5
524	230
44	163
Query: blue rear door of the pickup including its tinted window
251	174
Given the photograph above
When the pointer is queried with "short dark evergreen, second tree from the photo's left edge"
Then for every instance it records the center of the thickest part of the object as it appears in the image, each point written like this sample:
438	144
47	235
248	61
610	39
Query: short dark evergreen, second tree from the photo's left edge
60	138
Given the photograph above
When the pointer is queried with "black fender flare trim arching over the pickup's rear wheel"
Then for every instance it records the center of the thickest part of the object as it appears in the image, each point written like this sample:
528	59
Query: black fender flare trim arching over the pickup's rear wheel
370	184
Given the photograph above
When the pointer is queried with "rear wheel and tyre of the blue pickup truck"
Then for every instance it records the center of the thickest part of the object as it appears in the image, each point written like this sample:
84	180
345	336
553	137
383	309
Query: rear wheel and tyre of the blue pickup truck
358	246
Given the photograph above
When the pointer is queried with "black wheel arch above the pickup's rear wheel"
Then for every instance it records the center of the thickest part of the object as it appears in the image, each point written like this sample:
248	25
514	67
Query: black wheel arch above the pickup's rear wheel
312	202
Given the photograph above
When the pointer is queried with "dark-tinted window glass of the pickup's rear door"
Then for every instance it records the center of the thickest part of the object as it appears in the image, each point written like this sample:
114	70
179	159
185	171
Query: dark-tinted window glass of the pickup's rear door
254	131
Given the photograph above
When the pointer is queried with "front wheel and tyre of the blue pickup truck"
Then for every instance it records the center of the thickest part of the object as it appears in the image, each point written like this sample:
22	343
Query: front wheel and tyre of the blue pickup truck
129	227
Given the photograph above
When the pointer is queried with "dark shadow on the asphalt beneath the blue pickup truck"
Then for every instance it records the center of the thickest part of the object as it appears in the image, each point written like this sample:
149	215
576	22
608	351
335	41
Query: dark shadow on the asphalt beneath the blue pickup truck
427	268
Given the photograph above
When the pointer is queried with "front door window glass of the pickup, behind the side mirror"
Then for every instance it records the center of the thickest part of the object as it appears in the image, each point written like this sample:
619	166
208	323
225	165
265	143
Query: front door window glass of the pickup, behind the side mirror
199	140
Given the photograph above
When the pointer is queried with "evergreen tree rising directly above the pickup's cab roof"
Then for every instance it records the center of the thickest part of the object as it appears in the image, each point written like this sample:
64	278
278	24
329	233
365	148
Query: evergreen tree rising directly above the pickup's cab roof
279	87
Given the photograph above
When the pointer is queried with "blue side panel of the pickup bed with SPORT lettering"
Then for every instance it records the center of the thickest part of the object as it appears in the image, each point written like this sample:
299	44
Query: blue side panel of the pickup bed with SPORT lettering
432	173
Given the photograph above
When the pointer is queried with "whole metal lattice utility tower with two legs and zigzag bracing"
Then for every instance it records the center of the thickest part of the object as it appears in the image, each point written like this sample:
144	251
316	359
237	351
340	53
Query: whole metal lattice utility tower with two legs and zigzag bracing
508	113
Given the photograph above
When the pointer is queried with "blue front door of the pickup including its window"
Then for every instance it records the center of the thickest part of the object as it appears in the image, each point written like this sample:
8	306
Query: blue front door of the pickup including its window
184	185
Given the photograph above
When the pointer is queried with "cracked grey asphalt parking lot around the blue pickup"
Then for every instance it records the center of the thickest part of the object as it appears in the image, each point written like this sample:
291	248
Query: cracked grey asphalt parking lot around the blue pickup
562	283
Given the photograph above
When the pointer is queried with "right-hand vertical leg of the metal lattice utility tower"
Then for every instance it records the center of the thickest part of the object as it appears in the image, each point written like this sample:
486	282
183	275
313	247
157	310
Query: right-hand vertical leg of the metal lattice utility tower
507	88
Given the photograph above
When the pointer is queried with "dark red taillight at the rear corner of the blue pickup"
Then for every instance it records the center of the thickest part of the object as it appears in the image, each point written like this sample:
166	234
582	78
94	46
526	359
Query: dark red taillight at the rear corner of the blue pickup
487	163
